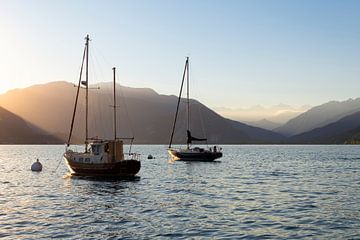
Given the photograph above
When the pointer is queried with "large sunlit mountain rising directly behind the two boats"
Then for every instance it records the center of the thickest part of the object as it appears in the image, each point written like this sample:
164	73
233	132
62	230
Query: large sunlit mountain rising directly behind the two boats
142	113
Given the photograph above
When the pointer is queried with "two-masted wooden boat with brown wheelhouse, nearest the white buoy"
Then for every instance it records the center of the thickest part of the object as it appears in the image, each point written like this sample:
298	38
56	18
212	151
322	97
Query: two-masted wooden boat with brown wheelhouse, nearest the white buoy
101	157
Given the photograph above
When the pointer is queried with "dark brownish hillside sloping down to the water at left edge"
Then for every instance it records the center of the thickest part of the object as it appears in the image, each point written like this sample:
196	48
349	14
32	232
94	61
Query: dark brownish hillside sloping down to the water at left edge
14	130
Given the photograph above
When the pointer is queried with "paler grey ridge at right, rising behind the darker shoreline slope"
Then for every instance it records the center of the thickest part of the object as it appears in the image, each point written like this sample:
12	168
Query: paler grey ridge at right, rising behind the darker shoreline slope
319	116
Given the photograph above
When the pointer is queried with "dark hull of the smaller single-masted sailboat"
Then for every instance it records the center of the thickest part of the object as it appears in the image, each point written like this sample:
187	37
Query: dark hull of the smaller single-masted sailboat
204	156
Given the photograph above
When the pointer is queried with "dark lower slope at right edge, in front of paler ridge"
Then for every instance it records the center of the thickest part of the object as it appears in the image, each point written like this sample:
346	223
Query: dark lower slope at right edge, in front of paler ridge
339	132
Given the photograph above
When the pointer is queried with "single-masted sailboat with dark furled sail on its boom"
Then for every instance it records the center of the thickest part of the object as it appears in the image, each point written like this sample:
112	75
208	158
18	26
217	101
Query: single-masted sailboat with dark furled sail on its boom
190	153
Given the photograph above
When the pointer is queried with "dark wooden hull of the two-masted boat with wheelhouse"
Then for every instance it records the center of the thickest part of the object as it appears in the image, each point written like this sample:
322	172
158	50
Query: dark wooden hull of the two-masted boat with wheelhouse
123	168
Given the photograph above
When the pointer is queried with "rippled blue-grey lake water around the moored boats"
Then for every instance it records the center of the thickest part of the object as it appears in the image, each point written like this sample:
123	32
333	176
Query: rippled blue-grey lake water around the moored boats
254	191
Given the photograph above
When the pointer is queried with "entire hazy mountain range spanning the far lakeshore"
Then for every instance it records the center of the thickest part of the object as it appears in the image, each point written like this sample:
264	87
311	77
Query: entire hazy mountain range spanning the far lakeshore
42	114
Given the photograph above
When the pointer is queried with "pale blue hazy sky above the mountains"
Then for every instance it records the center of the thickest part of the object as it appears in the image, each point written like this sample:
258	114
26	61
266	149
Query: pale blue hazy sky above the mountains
242	53
